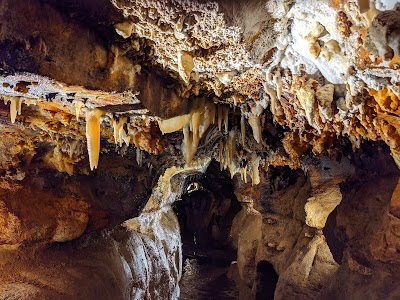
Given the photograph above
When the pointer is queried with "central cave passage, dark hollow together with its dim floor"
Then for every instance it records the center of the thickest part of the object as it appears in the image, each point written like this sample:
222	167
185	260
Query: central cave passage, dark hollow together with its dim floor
205	213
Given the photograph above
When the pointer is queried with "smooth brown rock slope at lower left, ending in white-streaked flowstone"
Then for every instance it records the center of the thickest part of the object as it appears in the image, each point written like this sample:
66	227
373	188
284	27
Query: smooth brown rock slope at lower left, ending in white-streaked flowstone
116	264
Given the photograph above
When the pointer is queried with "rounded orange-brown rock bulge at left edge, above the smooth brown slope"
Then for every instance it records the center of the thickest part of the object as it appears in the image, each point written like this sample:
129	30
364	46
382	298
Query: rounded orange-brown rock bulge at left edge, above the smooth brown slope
31	216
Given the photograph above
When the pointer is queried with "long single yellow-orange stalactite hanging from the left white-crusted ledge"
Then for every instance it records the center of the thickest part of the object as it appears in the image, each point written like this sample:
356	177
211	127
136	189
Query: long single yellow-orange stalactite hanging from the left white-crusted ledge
93	135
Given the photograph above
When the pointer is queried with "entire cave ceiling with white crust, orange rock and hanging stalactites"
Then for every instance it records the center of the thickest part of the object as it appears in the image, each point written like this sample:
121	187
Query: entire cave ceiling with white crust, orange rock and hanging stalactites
249	83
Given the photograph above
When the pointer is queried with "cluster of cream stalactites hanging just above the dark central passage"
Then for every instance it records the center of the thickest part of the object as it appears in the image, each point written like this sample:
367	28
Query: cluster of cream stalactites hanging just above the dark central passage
195	125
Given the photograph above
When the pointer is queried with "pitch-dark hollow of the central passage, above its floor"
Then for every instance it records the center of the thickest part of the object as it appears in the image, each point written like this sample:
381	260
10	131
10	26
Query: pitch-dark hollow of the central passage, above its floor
205	212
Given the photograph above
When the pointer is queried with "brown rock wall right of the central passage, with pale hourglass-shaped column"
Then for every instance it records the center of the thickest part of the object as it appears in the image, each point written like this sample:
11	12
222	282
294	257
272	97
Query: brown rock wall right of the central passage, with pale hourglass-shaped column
316	253
